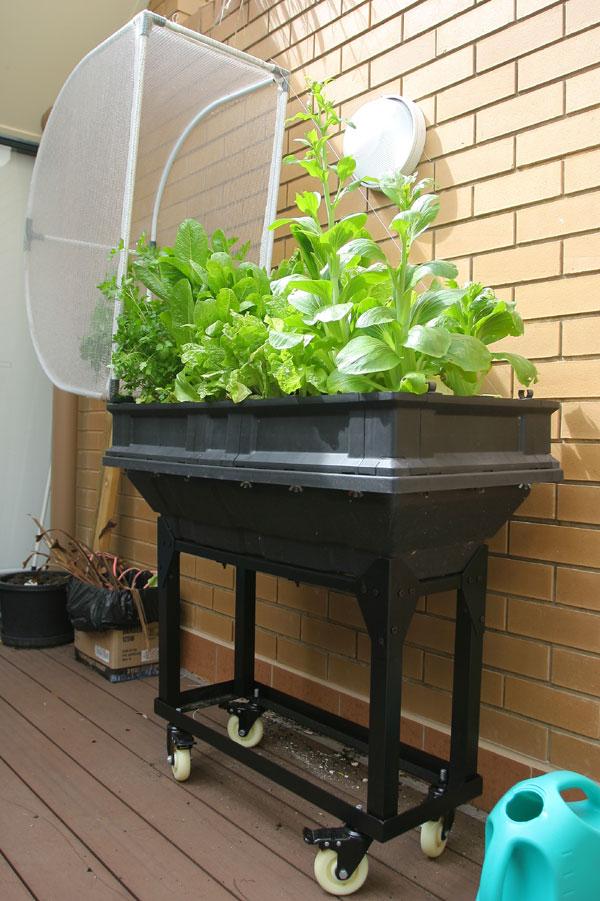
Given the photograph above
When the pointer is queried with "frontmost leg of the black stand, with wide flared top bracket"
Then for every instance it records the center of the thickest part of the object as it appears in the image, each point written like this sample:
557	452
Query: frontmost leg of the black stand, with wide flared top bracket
387	599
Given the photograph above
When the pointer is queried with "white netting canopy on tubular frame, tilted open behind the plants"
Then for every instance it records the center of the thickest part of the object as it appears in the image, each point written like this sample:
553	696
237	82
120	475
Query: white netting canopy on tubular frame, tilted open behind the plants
155	125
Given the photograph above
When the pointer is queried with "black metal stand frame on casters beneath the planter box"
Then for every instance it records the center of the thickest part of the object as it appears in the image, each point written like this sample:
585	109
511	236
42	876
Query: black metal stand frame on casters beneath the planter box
387	594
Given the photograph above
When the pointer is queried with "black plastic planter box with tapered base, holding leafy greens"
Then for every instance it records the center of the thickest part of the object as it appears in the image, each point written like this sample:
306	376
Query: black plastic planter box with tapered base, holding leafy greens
334	482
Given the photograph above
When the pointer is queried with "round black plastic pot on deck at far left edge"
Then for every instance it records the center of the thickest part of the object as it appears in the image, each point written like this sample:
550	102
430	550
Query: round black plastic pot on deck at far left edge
34	616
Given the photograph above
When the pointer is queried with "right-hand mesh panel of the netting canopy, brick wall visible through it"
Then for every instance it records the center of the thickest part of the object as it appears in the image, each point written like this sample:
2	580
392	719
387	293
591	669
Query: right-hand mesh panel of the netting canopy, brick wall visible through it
221	173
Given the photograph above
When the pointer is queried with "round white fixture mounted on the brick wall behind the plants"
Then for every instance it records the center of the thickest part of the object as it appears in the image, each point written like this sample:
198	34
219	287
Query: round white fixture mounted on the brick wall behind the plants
385	135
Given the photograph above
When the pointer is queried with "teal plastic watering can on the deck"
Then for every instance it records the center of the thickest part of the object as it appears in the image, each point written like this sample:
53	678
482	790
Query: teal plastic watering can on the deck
540	846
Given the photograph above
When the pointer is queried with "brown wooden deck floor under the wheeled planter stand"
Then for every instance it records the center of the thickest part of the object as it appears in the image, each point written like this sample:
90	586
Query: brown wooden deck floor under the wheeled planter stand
89	810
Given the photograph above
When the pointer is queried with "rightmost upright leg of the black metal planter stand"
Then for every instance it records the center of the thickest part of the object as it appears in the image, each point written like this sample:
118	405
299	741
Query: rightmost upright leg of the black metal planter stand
468	653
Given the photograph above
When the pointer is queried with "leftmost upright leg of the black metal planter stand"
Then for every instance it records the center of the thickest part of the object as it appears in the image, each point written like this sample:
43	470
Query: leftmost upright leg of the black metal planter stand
169	616
